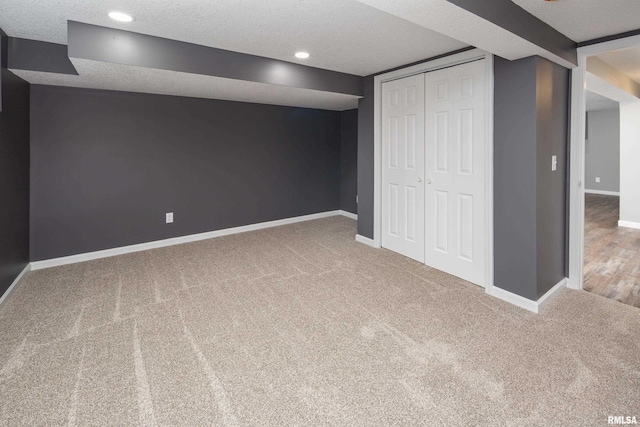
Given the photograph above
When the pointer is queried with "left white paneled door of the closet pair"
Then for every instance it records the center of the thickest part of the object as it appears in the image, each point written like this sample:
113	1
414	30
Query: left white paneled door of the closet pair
403	166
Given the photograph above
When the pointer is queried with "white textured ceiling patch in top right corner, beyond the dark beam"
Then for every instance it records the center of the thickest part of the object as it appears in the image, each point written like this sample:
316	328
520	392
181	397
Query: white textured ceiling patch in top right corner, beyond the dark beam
583	20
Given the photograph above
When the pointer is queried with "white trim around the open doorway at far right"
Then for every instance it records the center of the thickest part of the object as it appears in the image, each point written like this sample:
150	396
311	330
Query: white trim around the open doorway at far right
576	179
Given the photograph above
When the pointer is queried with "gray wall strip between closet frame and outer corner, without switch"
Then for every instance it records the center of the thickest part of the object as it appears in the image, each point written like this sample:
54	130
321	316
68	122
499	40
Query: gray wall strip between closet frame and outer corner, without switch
515	260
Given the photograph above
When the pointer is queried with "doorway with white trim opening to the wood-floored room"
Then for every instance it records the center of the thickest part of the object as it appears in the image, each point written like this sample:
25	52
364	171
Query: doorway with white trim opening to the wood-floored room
604	246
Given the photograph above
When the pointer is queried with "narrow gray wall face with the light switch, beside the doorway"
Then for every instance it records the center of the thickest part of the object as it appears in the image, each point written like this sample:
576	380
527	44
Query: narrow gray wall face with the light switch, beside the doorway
552	139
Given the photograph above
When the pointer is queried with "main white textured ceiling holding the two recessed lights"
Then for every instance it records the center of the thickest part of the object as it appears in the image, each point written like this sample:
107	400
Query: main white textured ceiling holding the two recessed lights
341	35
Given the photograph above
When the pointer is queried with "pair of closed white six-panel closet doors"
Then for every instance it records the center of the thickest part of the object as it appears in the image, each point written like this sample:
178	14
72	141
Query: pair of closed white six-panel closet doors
433	171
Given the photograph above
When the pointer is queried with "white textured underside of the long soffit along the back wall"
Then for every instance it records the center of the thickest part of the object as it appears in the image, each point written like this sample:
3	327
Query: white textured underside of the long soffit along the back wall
101	75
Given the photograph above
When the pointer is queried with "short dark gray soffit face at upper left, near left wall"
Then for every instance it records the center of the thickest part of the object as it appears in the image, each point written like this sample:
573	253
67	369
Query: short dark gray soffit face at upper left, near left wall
35	55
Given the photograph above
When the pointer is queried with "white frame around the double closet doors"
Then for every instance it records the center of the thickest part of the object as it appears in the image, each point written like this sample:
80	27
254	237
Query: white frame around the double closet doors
448	61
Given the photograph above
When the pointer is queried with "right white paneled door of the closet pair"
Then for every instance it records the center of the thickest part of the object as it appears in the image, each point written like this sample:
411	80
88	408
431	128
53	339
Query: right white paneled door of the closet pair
455	171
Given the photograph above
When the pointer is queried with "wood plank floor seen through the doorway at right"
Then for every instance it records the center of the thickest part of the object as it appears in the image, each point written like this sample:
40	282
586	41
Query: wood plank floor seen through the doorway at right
611	253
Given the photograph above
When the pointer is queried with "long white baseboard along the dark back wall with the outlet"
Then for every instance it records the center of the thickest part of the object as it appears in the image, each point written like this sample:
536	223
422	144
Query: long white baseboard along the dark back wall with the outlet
55	262
